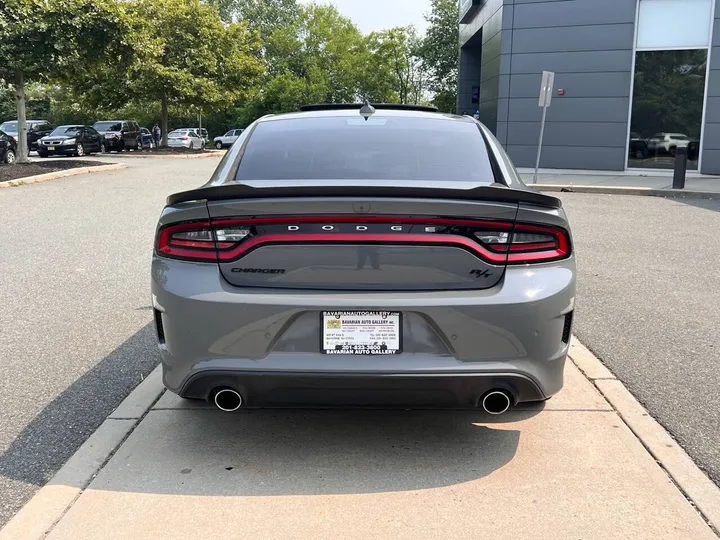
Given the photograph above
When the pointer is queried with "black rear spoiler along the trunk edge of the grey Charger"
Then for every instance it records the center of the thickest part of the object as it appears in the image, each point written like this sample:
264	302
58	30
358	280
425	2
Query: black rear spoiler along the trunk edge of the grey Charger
481	193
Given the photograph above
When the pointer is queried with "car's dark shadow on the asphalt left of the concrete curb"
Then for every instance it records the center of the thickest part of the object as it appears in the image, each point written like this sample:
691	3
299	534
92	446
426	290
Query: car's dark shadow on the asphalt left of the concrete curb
54	435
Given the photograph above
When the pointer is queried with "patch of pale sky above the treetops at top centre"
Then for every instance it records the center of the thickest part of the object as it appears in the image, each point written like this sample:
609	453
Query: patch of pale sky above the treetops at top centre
371	15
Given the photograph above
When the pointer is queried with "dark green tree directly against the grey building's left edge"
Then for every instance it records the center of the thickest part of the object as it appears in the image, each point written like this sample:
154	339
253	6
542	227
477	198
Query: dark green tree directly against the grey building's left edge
440	52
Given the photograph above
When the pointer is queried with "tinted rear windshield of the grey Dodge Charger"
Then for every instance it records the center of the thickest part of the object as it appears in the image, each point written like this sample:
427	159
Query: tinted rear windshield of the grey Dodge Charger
390	148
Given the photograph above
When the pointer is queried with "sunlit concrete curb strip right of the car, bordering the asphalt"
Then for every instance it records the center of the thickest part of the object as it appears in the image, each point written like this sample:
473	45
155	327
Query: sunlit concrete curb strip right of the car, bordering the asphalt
694	484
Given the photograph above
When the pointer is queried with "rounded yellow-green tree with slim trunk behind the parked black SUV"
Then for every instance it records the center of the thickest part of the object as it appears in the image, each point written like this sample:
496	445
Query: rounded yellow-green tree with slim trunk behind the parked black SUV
187	56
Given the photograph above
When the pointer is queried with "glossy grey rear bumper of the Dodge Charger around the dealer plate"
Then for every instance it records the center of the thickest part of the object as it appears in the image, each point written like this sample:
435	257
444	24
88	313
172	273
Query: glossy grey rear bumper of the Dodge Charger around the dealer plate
459	342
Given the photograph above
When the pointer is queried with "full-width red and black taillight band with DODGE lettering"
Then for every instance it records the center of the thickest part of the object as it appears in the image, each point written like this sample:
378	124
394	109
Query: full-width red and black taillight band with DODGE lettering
497	242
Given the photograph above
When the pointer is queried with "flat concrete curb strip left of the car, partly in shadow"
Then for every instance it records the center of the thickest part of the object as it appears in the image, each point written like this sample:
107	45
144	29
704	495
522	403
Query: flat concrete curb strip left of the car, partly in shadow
36	519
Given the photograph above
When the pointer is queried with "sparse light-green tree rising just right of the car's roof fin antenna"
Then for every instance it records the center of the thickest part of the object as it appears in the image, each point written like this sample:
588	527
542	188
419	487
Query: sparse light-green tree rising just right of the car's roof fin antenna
396	53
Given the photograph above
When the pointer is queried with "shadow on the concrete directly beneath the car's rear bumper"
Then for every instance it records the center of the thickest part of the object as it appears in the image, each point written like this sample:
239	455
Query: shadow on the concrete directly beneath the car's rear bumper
308	452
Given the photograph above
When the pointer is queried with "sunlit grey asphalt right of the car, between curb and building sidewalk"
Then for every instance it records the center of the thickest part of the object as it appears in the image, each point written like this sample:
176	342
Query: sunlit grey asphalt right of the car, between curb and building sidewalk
649	307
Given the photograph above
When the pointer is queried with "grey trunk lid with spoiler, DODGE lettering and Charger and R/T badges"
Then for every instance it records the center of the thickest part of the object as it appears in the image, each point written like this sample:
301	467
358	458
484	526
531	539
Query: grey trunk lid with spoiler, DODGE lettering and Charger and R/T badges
378	236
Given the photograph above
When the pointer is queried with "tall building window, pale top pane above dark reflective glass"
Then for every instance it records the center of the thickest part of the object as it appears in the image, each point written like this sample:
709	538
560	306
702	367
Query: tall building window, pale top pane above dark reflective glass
669	82
